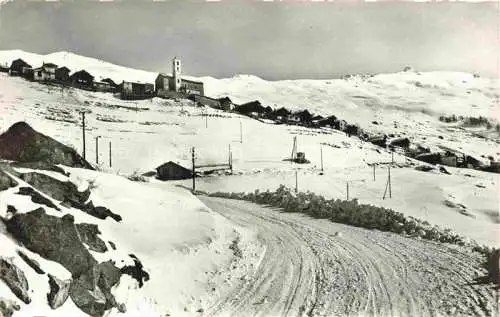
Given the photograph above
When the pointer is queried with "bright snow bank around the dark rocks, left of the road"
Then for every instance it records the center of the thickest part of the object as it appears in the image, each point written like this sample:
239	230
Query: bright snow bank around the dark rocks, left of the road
178	240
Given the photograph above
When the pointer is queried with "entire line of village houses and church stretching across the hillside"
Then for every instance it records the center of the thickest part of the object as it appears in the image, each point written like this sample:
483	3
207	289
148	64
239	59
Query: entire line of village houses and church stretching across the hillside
174	86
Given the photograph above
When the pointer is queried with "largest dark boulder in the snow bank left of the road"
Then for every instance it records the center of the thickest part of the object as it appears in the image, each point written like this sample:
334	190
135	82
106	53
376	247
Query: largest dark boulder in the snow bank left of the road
53	238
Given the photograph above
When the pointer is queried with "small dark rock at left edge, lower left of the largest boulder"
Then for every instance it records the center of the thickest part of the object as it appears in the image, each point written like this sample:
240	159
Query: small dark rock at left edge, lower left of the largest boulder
15	279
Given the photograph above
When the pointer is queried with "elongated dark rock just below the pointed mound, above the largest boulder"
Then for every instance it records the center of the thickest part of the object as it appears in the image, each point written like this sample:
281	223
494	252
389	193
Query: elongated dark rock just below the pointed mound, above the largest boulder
62	191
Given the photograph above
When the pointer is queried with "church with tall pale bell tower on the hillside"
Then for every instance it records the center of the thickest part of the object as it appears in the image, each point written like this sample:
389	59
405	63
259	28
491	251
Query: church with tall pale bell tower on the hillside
171	86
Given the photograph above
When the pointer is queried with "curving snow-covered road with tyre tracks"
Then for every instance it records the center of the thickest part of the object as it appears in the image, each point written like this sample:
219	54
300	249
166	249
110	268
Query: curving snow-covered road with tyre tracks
314	267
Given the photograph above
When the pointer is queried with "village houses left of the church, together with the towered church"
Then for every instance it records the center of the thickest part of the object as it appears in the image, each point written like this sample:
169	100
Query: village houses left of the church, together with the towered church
166	86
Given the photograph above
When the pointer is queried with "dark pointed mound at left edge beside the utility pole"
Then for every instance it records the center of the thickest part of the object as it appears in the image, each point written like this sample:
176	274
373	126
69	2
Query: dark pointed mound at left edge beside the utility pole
23	144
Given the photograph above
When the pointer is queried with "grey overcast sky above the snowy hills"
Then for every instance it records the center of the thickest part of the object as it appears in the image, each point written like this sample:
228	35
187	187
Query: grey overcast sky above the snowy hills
280	40
